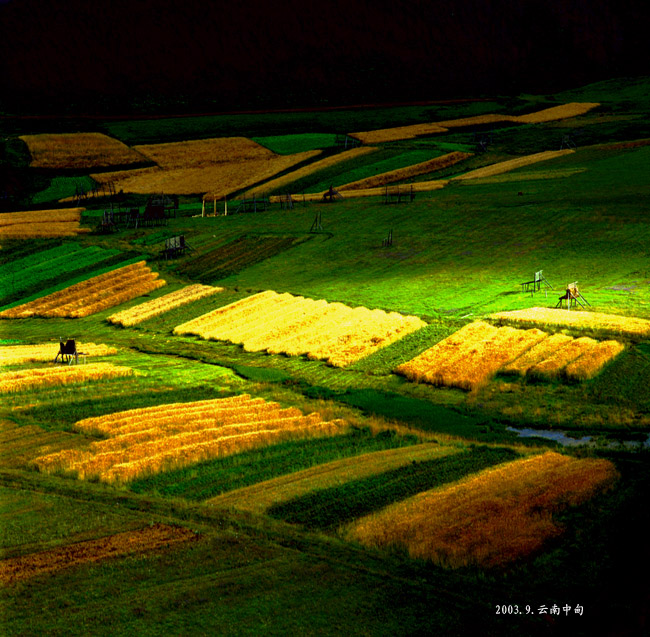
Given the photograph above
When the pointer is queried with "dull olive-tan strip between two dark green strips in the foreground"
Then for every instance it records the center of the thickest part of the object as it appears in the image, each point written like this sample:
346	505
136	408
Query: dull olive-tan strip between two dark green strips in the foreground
260	497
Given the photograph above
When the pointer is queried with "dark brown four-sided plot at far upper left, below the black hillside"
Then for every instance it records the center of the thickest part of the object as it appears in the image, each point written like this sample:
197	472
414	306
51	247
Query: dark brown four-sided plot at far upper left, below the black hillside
79	150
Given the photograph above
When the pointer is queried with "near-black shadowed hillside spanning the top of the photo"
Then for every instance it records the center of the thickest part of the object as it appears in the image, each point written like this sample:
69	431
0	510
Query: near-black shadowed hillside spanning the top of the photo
122	56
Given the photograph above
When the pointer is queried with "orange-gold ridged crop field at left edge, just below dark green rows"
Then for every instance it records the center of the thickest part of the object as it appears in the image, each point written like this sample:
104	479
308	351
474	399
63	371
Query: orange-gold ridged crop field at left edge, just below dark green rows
92	295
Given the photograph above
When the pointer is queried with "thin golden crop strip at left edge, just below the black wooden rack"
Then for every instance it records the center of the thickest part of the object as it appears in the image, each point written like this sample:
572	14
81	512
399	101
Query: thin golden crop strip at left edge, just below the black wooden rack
64	375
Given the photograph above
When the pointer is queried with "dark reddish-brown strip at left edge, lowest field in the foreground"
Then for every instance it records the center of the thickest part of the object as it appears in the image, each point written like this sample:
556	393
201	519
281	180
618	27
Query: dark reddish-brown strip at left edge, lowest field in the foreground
149	538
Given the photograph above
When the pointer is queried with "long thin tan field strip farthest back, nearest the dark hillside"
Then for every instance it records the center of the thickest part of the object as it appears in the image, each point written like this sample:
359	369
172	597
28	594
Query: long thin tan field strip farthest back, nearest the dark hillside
564	111
